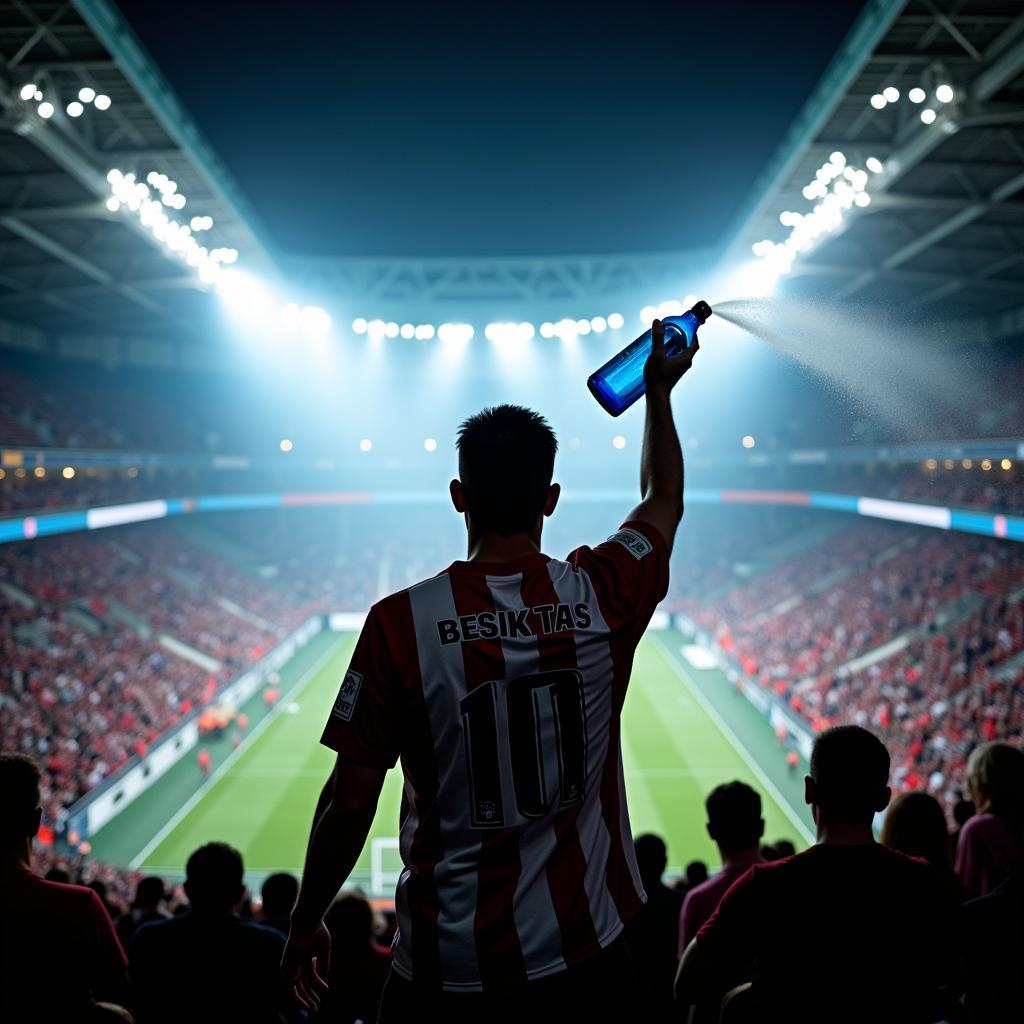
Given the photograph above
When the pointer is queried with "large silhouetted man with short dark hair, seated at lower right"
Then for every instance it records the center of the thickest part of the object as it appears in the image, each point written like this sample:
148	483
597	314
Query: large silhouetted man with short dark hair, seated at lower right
847	931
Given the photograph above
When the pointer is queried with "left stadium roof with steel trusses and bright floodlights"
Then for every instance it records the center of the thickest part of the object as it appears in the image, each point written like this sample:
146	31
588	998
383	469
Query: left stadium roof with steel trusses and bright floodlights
80	98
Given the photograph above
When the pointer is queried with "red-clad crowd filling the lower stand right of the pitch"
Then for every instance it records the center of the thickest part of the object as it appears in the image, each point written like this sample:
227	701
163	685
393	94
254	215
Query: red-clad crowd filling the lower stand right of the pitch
951	606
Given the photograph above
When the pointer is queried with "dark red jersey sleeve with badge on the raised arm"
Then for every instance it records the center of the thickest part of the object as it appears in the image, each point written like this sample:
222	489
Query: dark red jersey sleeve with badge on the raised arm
630	573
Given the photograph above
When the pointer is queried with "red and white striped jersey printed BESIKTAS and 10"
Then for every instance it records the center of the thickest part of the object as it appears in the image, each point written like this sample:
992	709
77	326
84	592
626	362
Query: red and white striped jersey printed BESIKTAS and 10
500	687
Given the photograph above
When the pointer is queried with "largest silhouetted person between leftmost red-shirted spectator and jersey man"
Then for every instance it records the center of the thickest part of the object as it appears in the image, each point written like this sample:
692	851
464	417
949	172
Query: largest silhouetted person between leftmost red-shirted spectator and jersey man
208	965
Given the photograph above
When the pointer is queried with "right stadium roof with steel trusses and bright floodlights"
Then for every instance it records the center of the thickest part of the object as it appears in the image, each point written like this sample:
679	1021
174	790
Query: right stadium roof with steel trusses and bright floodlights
926	99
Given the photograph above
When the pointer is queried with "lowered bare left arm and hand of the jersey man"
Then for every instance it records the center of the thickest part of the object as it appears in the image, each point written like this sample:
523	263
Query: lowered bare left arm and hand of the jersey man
342	824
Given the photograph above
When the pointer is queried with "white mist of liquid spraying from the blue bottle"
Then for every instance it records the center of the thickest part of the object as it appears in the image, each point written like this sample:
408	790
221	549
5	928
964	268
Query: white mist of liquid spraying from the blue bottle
922	380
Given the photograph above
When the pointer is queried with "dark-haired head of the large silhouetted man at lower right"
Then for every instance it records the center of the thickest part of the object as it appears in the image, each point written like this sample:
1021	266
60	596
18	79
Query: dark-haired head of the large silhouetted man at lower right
850	769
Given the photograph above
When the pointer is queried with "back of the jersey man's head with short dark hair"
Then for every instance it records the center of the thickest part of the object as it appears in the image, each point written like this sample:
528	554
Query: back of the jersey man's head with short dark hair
506	461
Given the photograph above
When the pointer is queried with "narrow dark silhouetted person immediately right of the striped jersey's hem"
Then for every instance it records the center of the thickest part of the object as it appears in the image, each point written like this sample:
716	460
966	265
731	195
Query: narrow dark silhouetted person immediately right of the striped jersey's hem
653	933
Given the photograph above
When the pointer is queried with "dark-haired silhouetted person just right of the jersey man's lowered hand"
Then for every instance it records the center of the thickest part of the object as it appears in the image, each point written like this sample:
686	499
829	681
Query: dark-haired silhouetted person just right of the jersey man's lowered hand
359	967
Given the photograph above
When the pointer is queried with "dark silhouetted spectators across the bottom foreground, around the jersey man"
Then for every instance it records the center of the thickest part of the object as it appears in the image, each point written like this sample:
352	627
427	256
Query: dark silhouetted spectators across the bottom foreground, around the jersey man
920	927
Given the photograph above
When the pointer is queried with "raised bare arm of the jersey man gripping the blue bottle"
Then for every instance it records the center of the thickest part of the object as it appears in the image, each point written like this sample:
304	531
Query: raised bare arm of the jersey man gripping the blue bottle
662	456
